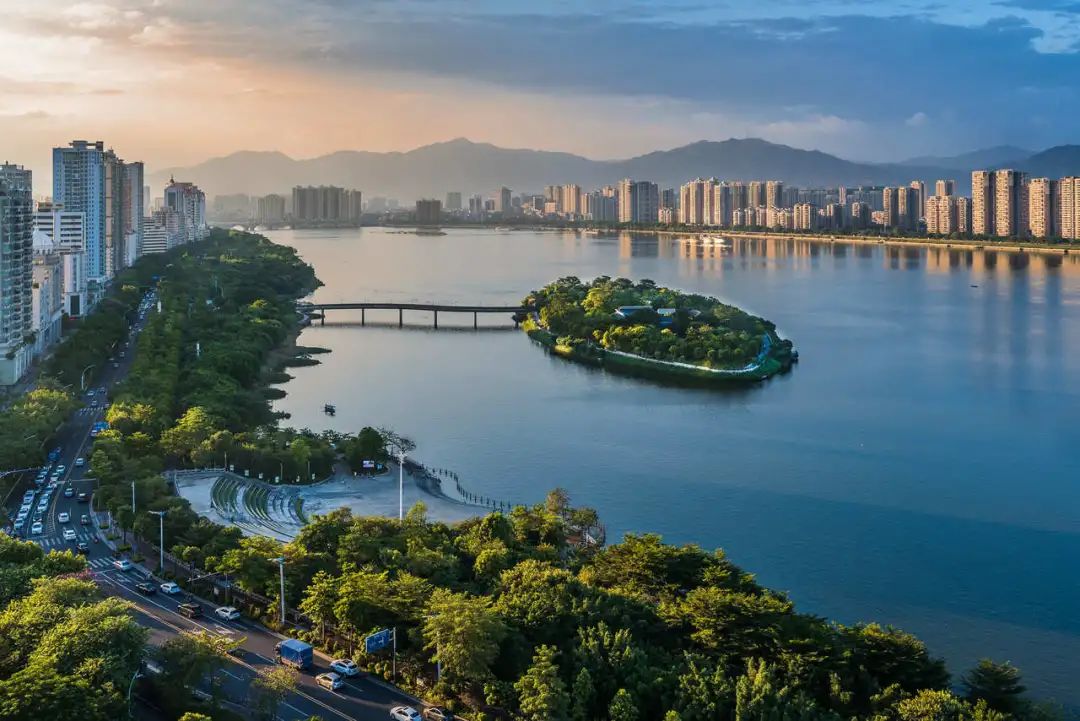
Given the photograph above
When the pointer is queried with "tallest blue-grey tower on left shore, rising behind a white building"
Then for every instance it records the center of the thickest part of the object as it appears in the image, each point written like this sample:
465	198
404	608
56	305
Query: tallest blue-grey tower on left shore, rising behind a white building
79	186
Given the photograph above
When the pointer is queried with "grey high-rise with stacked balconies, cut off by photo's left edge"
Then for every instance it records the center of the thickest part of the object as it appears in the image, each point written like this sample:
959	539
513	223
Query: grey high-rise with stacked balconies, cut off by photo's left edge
17	271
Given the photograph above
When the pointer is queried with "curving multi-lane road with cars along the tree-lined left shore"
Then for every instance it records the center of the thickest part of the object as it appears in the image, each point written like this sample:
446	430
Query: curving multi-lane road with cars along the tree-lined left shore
362	699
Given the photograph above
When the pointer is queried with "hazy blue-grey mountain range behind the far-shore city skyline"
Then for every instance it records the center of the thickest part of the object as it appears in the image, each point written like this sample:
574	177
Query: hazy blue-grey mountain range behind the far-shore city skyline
480	168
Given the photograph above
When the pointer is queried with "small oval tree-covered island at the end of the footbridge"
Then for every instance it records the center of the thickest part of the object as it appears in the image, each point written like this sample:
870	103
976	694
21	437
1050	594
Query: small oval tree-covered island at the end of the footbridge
644	330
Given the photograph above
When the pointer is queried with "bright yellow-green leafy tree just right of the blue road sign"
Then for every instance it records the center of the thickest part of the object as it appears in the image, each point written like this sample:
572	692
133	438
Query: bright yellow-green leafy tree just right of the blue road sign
465	633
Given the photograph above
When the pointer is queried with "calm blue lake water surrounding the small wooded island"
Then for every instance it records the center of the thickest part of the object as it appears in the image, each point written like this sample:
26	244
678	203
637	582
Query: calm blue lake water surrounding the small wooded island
920	467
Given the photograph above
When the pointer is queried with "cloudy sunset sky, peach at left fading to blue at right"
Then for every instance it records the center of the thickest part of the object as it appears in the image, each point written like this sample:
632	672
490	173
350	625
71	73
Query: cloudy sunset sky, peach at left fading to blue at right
174	83
